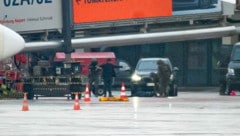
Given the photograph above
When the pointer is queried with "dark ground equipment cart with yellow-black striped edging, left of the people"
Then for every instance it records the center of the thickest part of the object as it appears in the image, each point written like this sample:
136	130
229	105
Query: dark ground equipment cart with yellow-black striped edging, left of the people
53	79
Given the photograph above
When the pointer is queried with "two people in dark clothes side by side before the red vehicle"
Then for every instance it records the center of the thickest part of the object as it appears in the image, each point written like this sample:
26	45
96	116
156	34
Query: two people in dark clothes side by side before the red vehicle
105	71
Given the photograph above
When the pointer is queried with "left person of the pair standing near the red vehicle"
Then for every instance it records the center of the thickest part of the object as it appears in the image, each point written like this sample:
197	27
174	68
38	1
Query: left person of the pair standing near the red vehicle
94	73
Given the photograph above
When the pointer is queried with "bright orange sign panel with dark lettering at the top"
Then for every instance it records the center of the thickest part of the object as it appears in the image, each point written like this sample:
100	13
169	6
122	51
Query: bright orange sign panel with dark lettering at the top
88	11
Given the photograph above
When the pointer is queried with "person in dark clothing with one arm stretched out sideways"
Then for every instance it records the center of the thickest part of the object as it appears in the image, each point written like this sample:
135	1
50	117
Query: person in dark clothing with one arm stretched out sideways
108	73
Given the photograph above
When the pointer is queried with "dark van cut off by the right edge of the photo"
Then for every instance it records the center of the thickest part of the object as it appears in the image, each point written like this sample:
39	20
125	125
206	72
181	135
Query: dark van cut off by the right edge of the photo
233	74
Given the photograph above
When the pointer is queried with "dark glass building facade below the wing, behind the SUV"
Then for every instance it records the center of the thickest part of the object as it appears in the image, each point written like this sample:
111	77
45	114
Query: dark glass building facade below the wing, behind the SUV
196	60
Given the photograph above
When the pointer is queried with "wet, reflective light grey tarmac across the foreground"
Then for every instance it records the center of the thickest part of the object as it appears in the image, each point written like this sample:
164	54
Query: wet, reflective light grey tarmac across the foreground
191	113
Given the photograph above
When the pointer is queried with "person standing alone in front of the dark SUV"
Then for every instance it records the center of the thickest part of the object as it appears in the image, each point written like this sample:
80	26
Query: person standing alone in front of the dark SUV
164	73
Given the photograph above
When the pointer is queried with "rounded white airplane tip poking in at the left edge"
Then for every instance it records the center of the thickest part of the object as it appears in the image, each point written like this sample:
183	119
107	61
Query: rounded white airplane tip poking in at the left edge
11	42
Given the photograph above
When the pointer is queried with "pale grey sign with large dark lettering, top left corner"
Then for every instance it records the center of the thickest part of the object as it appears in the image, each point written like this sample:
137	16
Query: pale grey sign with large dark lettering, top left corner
31	15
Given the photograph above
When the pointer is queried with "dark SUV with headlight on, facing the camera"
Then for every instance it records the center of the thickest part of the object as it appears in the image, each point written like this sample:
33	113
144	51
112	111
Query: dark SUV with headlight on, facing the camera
141	82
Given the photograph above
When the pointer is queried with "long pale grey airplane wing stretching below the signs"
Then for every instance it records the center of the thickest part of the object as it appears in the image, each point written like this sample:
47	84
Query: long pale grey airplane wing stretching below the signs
137	39
